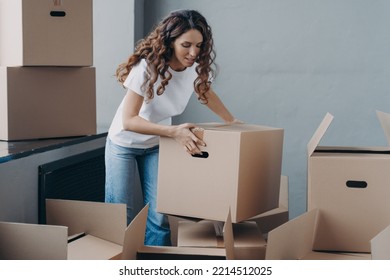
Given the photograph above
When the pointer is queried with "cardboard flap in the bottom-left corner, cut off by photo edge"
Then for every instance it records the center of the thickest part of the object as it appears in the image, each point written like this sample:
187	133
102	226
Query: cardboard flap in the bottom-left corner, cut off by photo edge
19	241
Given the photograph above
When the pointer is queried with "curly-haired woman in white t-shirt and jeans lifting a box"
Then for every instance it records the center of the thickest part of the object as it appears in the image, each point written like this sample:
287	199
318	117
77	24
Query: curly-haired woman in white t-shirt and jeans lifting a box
168	66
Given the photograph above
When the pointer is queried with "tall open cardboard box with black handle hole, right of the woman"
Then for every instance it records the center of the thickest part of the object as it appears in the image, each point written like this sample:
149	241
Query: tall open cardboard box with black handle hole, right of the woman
350	187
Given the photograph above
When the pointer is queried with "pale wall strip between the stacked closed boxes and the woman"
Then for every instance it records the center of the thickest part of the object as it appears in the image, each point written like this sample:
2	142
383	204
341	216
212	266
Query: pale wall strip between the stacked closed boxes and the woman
113	42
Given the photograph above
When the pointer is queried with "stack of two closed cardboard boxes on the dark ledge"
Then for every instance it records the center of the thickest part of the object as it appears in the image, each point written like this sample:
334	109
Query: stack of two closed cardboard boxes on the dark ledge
47	82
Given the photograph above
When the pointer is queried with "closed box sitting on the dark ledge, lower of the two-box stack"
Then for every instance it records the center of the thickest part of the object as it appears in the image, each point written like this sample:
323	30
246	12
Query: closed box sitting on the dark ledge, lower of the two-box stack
47	102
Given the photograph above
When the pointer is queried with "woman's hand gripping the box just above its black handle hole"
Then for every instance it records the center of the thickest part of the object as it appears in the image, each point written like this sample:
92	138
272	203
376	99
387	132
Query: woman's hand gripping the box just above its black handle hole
183	135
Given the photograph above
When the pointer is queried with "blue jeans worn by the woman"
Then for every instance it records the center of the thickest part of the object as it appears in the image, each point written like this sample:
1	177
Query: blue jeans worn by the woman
121	180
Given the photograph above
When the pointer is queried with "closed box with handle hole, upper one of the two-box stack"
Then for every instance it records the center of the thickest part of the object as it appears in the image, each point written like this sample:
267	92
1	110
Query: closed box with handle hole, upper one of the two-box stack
46	33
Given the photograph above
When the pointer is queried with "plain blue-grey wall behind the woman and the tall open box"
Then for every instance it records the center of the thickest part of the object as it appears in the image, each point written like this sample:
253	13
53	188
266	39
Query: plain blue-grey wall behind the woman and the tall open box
286	63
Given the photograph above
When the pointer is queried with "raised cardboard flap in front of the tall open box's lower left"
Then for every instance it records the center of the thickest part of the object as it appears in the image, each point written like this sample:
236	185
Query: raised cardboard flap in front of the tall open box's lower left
294	239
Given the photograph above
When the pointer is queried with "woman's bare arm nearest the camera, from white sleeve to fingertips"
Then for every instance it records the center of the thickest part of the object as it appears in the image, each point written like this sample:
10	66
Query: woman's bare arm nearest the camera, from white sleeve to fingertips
133	122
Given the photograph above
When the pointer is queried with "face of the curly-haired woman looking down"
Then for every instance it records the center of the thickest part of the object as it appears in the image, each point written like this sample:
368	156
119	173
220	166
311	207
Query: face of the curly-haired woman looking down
186	49
